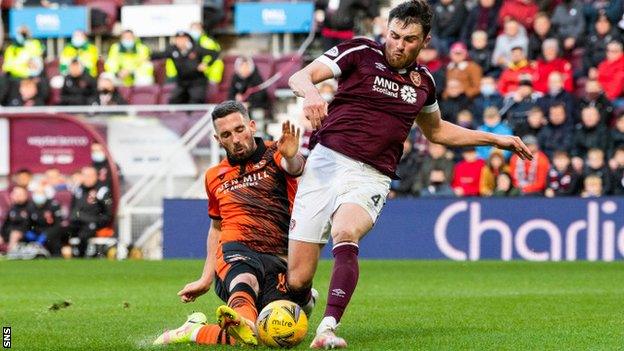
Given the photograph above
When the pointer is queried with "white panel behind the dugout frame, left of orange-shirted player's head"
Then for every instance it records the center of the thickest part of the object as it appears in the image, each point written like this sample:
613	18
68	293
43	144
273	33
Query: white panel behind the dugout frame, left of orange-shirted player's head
141	145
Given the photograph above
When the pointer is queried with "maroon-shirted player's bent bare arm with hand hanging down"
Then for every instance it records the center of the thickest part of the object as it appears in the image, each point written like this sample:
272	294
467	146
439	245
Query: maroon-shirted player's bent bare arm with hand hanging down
302	84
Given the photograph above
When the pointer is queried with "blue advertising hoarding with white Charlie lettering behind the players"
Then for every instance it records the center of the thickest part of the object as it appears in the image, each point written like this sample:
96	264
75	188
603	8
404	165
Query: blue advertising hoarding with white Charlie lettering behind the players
537	229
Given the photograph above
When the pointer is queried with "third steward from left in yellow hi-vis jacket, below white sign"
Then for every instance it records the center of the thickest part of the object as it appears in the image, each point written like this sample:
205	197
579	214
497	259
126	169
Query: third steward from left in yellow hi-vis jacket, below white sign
129	60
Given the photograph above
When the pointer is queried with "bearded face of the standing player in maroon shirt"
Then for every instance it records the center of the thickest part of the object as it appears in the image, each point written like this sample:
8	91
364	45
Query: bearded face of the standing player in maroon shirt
403	43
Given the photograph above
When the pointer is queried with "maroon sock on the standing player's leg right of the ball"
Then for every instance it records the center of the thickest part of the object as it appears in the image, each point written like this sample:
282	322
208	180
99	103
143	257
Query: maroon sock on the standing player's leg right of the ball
344	279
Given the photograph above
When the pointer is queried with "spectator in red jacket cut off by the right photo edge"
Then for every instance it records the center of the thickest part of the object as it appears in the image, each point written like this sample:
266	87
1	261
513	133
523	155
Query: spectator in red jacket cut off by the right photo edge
611	71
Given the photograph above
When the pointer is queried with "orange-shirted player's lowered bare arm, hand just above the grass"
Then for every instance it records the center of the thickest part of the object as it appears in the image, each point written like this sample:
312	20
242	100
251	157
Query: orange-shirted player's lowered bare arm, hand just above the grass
199	287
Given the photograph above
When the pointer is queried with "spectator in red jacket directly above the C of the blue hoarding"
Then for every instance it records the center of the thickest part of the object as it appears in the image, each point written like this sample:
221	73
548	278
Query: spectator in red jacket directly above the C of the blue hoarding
467	173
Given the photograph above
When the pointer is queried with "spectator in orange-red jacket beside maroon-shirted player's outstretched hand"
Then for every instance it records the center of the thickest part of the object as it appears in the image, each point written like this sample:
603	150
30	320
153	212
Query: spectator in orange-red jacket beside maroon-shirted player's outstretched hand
530	176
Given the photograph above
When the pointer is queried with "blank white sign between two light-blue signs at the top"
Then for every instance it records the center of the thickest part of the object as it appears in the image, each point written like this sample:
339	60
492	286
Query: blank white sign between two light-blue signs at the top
159	20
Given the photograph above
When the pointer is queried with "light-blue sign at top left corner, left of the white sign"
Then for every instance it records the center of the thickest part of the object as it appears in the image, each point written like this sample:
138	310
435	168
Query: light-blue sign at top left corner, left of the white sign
49	23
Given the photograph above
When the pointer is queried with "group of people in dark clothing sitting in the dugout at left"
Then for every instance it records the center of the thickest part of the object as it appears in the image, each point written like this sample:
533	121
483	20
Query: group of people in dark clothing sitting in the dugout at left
58	214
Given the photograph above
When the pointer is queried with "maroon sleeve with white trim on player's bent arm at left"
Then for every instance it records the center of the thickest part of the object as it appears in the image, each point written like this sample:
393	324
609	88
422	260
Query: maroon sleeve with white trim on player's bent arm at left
344	56
